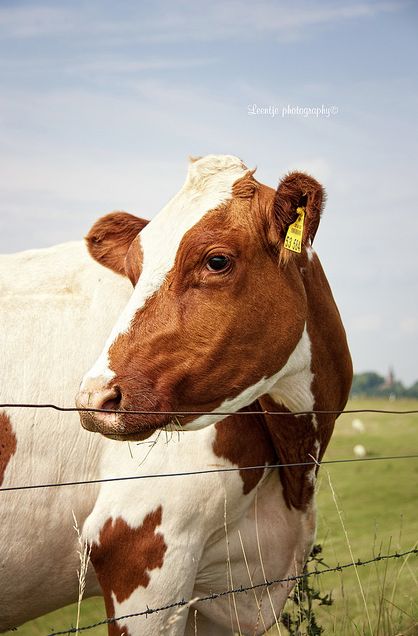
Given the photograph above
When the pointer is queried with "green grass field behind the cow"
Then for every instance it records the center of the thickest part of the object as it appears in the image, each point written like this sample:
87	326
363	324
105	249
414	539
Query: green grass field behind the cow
378	502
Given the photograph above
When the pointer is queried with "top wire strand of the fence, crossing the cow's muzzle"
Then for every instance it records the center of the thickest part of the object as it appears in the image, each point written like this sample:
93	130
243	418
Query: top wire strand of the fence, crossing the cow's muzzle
73	409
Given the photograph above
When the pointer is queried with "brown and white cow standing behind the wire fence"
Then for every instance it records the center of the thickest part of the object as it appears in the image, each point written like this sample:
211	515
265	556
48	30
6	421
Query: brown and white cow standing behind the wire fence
231	325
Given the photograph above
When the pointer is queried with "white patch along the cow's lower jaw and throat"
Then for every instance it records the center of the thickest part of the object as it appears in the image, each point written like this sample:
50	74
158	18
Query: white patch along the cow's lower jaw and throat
290	386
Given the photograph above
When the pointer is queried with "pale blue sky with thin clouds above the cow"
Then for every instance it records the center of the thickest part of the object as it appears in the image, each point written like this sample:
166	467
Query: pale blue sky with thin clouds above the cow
101	103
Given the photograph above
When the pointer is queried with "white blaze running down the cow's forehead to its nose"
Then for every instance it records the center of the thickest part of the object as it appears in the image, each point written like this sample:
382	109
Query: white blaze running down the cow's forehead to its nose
208	184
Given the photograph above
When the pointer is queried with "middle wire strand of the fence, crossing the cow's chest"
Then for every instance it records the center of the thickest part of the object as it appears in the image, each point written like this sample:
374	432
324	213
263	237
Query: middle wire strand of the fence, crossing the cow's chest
206	471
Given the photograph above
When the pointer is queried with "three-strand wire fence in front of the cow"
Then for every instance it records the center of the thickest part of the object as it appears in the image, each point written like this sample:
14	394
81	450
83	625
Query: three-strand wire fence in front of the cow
241	589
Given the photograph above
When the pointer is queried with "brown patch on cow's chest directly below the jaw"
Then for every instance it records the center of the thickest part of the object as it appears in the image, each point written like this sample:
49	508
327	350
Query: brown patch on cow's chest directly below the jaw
244	441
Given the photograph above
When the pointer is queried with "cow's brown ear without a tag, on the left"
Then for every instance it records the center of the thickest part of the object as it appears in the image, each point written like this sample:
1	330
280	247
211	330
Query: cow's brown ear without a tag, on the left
110	239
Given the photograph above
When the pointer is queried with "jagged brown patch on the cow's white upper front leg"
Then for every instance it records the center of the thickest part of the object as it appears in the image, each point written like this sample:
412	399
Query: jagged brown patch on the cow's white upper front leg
125	556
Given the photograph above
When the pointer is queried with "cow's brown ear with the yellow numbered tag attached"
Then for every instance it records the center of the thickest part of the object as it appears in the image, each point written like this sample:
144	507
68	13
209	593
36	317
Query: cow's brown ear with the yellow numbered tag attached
297	190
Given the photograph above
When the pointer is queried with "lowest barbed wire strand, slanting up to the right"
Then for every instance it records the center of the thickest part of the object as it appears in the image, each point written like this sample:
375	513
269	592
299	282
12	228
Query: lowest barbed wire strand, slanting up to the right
238	590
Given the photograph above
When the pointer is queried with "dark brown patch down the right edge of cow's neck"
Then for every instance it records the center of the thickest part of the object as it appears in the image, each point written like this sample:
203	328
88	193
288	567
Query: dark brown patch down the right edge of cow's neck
294	437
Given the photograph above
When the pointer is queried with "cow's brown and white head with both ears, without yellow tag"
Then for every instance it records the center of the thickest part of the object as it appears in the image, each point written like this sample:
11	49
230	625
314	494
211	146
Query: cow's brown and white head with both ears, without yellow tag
218	306
